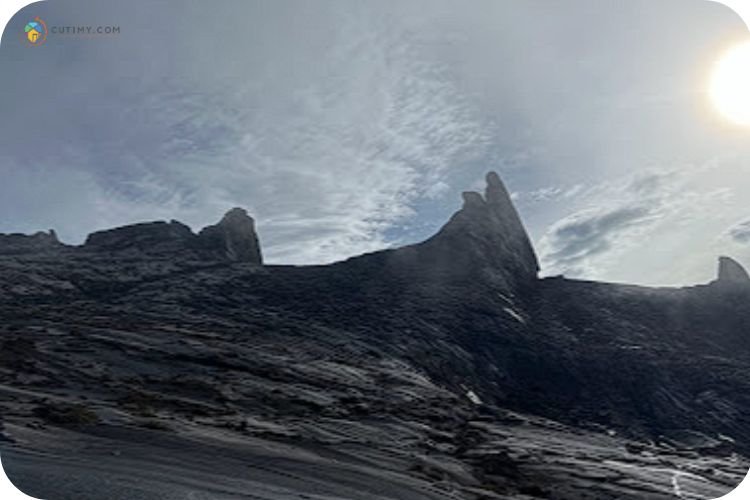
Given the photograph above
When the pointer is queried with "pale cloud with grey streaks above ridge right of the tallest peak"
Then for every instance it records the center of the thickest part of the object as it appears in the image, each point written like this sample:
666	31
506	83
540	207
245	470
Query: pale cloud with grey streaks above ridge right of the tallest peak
661	226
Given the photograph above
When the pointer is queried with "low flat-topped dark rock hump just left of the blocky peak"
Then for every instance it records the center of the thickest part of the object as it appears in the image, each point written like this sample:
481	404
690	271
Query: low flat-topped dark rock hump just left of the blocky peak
147	237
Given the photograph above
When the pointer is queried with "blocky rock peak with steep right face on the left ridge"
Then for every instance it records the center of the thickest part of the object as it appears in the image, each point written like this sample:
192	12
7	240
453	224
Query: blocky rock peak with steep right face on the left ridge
234	237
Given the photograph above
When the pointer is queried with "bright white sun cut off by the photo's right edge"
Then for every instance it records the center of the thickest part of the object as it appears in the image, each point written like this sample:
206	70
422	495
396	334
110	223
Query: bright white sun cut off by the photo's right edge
730	84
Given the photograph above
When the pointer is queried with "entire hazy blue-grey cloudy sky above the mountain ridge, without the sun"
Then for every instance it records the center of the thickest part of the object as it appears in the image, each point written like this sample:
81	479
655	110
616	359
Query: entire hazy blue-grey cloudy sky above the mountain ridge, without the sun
348	126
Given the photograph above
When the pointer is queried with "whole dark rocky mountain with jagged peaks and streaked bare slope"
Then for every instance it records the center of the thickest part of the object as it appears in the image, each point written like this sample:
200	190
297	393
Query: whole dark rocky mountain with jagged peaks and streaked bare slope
154	362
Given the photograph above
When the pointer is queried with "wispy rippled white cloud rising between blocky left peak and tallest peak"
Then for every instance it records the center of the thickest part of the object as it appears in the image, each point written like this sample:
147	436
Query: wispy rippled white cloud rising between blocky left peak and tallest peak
360	146
